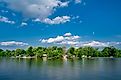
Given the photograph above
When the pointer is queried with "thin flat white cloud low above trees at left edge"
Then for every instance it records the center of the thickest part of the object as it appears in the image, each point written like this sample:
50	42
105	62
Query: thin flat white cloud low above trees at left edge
13	43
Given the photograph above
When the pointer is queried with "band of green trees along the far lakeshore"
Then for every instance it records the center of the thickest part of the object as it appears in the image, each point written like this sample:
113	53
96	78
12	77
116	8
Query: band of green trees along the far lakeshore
59	52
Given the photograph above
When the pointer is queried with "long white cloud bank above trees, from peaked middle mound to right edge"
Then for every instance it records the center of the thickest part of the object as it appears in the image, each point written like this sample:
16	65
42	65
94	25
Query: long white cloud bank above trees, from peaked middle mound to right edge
74	40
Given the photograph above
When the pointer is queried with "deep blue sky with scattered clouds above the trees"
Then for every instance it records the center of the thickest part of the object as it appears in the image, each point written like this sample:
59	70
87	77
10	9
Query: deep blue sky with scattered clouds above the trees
95	23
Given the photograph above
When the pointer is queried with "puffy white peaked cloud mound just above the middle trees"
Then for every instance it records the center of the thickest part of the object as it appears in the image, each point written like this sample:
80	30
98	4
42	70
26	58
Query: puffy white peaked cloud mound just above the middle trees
67	39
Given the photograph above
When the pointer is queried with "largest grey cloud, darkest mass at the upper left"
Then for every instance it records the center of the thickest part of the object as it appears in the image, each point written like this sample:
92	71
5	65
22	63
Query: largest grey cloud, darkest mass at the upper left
35	8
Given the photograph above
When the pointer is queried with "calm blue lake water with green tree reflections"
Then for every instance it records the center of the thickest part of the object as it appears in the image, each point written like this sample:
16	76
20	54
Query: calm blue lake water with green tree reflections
32	69
